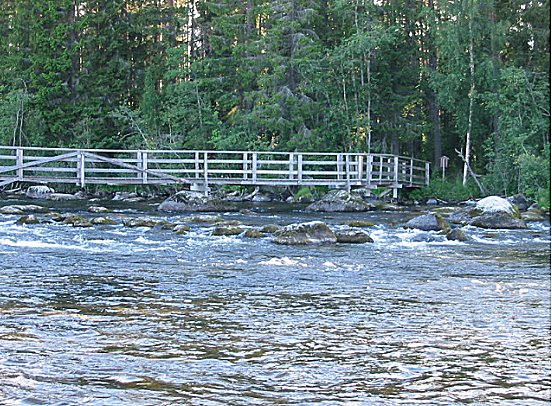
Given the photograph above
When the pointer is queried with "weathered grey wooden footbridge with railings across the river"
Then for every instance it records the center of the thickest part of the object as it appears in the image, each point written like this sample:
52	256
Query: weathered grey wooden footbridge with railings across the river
200	169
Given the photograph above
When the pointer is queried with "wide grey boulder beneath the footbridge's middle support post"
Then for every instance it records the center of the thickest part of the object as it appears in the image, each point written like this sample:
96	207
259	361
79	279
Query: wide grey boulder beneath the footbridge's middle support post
195	201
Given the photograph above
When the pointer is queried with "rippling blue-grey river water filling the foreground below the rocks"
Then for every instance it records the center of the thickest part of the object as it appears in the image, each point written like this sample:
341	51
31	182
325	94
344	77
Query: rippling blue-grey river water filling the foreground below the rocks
112	315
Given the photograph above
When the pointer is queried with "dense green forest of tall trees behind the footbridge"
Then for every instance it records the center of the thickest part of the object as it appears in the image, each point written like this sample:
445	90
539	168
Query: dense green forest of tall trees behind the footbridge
469	79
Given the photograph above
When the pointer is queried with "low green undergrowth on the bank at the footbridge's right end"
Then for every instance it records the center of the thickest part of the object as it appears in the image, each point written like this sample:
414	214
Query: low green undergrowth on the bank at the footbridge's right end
447	190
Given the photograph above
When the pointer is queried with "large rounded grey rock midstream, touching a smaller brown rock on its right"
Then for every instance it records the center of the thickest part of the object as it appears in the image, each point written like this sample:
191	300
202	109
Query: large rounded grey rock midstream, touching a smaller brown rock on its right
311	233
